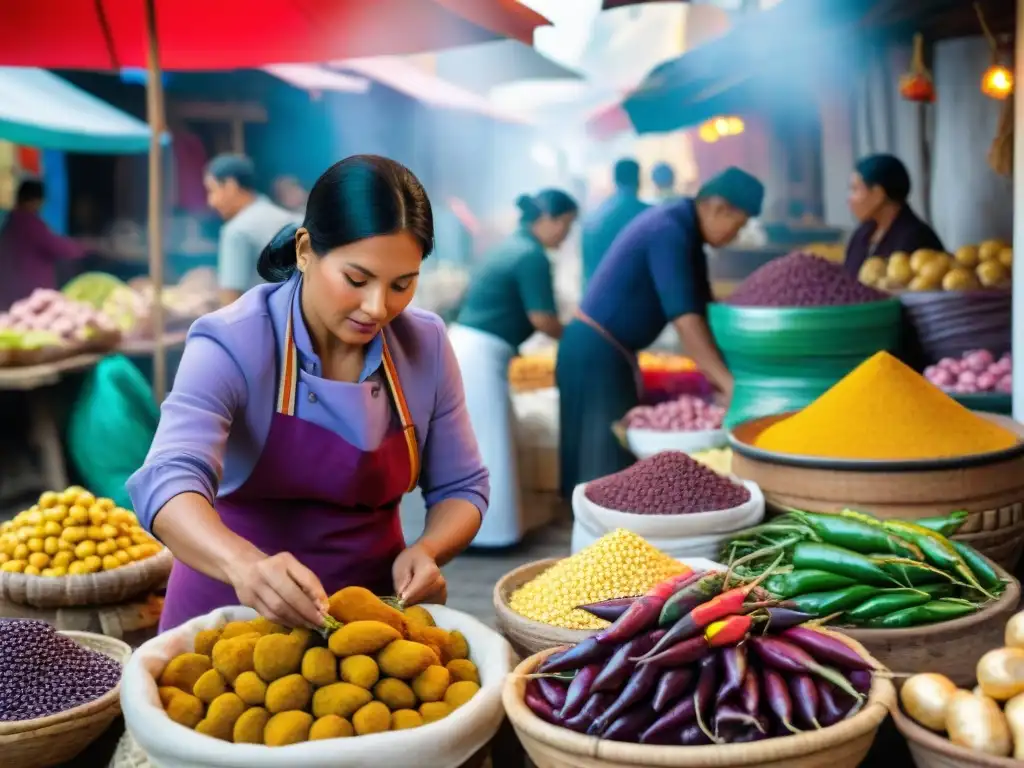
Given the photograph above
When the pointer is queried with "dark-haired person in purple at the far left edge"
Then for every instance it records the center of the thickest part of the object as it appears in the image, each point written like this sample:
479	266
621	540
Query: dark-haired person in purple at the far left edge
30	251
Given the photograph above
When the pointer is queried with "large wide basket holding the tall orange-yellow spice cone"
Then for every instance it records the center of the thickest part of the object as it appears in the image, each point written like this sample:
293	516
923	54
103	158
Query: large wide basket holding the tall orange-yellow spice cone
993	492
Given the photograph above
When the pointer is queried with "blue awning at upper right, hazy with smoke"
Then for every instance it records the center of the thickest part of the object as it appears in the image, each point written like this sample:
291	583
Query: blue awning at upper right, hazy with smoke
722	76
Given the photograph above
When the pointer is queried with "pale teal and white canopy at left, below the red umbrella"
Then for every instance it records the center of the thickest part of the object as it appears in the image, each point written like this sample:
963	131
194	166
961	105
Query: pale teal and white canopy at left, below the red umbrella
39	109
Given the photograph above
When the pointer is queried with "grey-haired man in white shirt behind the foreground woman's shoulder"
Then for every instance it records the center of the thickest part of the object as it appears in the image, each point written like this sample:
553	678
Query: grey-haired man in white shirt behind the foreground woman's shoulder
251	221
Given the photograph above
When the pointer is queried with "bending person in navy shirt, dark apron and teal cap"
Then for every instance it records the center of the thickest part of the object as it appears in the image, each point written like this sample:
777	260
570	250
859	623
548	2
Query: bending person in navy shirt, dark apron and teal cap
656	273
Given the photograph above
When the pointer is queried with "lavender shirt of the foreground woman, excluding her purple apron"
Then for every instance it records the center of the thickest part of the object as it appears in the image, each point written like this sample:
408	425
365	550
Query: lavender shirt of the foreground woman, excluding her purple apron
217	419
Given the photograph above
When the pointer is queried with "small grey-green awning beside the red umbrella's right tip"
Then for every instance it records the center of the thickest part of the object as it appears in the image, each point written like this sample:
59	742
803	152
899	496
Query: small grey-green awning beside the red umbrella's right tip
484	67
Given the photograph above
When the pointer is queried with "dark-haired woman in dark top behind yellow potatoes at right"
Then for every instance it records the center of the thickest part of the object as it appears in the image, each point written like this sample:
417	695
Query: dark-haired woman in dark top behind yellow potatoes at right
880	189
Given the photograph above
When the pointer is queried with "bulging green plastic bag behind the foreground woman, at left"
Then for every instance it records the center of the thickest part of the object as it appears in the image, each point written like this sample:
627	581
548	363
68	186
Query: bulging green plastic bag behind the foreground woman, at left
112	425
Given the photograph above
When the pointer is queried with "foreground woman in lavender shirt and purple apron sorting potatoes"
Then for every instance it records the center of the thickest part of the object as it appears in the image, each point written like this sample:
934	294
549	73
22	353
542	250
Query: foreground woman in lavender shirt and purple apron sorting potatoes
303	413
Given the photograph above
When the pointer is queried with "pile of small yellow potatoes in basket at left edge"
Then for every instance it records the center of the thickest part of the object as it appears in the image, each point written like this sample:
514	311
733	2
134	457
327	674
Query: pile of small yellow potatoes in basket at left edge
73	533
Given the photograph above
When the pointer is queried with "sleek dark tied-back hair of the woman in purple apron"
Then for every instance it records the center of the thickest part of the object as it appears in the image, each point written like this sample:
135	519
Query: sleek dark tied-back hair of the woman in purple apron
361	197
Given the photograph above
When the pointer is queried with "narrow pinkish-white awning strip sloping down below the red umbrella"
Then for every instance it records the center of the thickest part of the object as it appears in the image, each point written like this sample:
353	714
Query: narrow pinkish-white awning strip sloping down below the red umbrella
406	77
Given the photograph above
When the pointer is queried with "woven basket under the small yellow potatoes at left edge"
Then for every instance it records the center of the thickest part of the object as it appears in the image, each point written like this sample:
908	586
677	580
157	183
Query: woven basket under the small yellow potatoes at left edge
105	588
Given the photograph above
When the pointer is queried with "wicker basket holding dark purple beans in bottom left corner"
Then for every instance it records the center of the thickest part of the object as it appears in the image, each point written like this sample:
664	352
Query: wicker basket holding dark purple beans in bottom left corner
60	738
